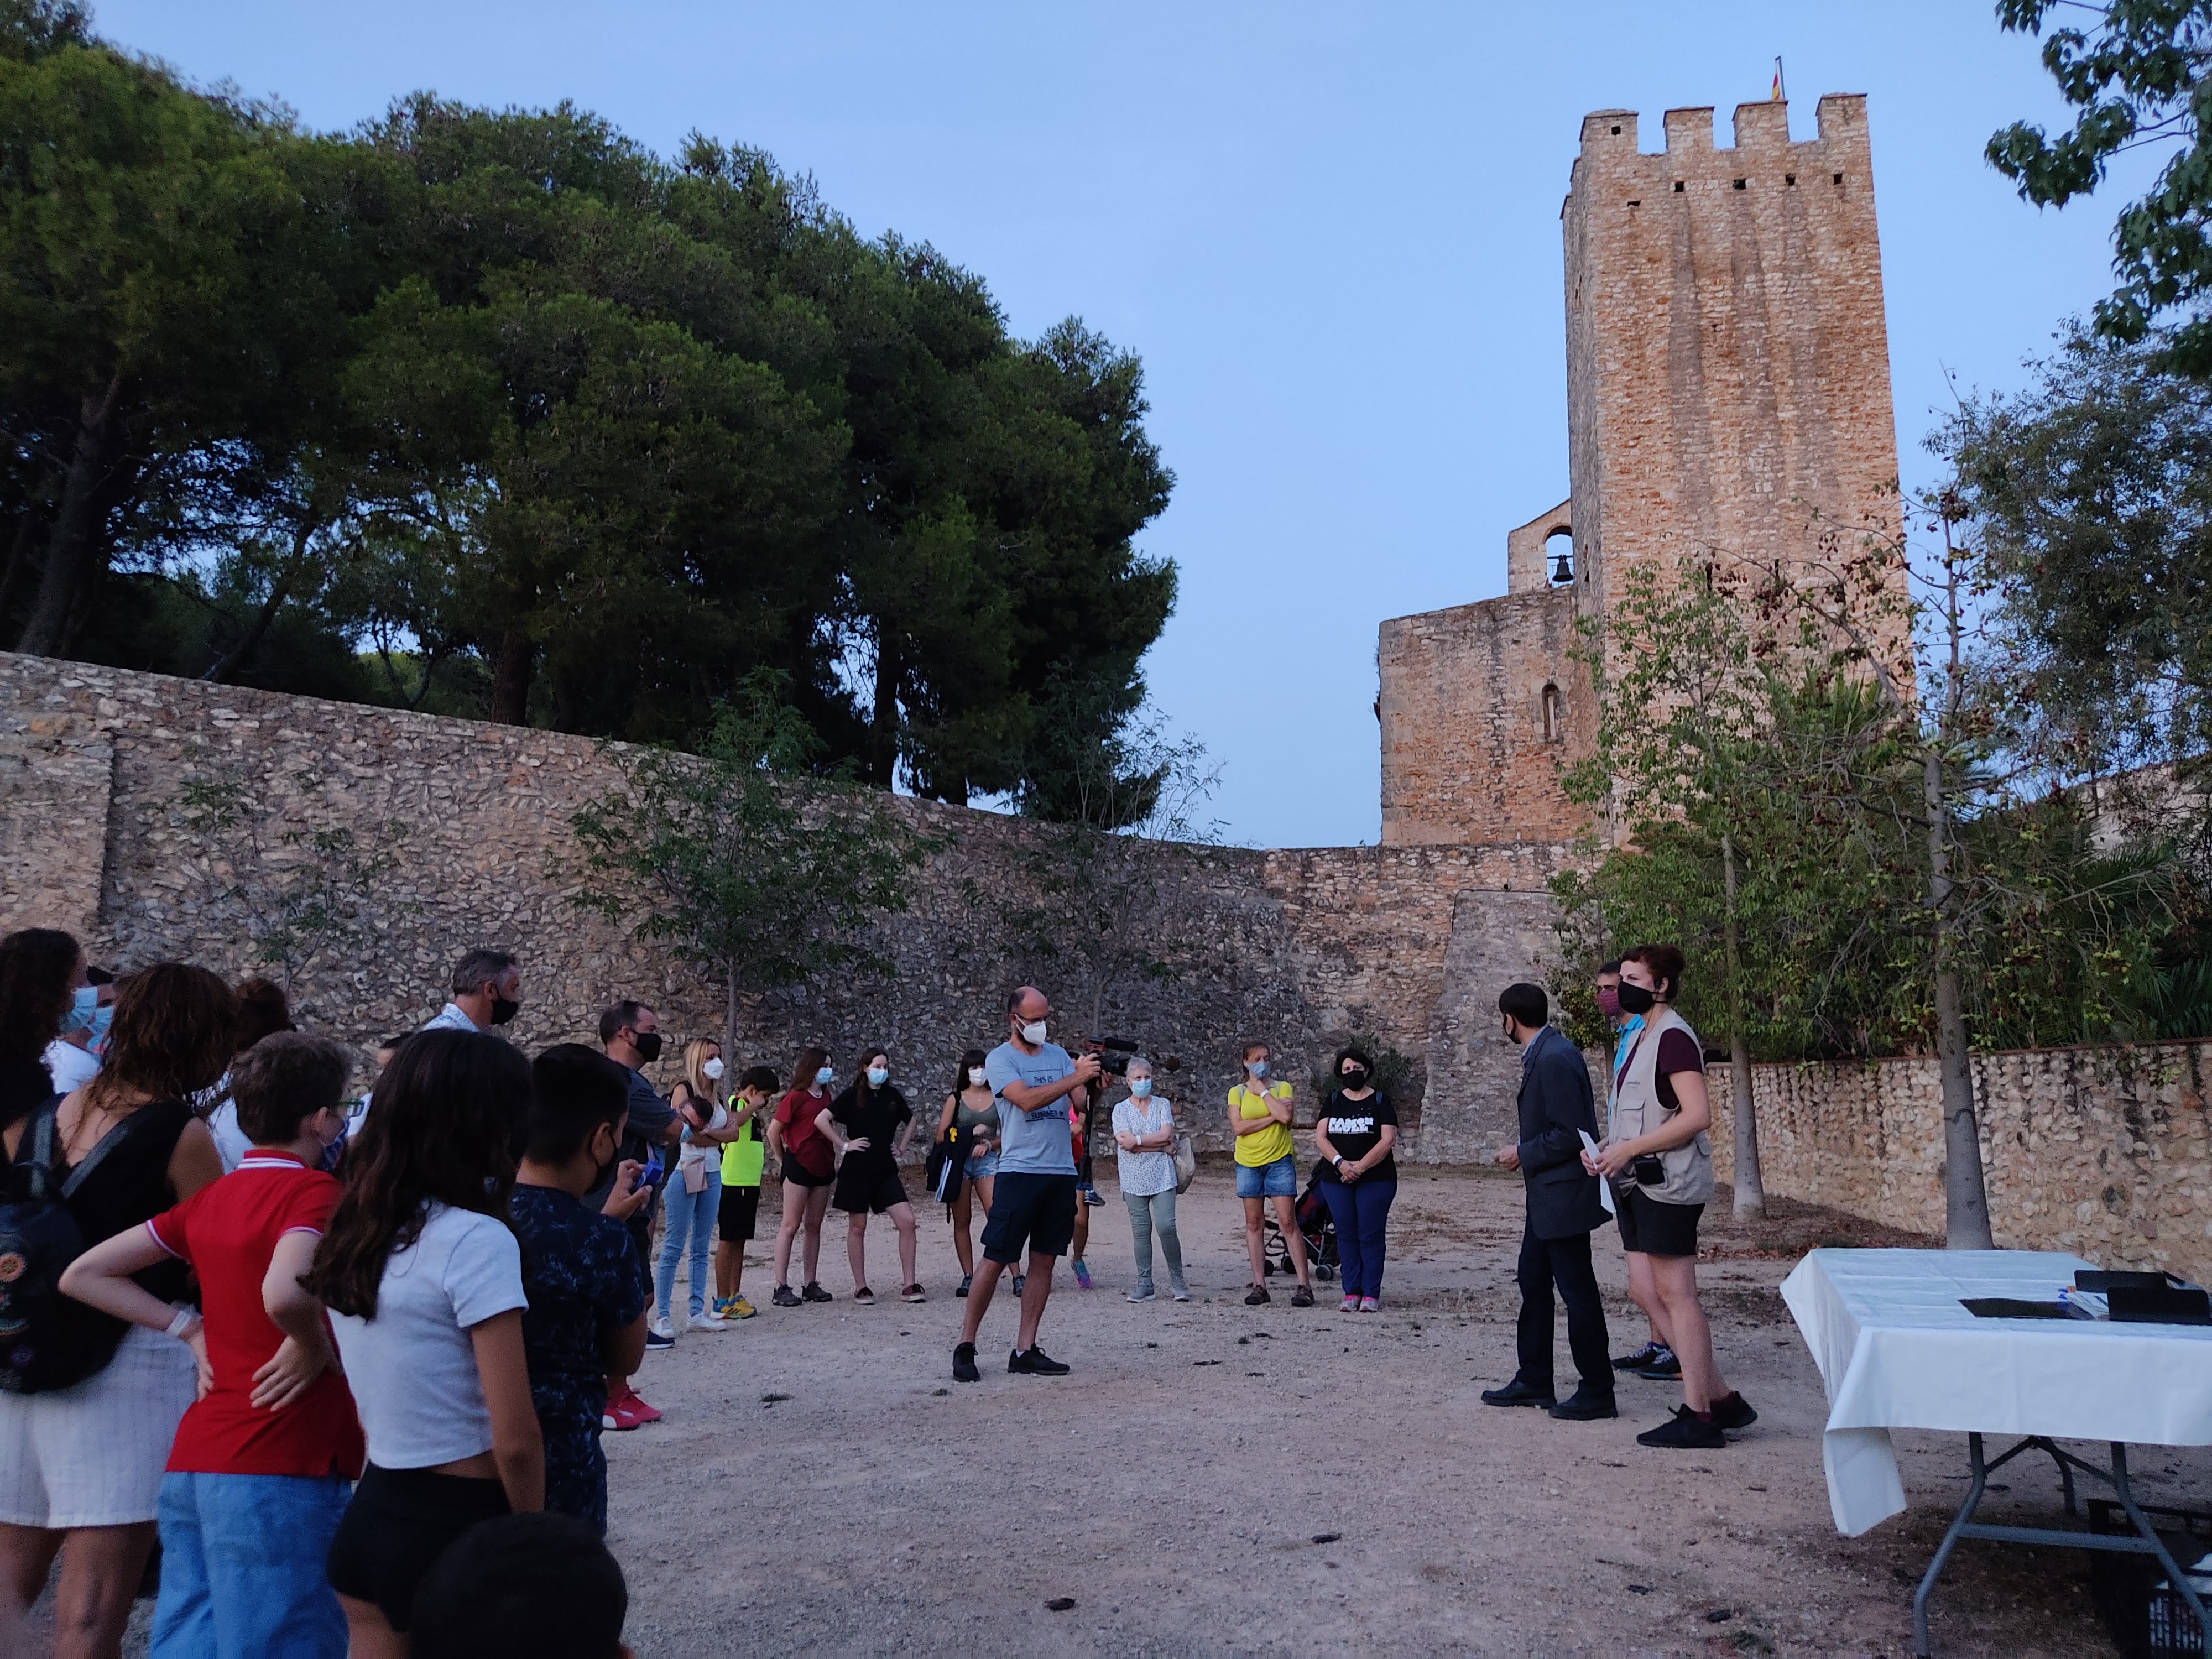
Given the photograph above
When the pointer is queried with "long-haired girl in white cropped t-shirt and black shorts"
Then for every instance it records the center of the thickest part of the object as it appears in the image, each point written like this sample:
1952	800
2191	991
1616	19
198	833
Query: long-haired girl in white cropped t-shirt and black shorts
424	1282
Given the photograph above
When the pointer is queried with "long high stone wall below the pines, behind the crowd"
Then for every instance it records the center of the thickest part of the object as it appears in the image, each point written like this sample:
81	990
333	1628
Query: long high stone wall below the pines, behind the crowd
441	835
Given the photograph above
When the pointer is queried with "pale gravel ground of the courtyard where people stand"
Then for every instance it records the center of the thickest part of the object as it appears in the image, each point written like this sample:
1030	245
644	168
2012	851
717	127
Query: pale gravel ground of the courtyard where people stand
1227	1479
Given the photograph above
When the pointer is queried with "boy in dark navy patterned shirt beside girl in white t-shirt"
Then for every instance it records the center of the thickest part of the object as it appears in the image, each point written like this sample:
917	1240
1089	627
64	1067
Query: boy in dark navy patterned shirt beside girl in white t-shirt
587	1315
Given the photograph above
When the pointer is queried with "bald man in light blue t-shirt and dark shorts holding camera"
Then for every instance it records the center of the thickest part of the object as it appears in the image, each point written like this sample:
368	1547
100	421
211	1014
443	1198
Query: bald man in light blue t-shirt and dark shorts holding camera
1034	1202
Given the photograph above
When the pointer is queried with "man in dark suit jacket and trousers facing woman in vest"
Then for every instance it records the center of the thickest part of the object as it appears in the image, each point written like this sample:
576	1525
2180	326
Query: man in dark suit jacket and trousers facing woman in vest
1565	1209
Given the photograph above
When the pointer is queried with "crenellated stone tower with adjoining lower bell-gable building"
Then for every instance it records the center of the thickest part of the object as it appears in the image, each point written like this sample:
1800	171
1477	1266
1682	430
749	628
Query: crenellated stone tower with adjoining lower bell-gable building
1729	399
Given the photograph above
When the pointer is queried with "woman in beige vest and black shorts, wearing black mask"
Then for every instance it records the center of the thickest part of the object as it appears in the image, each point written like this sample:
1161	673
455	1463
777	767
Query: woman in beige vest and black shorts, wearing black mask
1660	1165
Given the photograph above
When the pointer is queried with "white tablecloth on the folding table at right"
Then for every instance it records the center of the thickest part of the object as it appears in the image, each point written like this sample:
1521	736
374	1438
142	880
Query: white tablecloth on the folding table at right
1899	1353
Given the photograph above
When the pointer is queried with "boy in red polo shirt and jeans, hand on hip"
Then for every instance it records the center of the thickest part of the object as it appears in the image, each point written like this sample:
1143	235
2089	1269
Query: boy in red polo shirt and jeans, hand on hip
267	1457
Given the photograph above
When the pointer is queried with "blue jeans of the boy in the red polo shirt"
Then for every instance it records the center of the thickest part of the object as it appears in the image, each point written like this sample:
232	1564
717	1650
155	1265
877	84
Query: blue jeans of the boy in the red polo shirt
242	1567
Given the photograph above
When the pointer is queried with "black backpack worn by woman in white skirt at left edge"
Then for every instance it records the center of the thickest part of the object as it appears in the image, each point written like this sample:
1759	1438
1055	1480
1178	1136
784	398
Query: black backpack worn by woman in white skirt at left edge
48	1339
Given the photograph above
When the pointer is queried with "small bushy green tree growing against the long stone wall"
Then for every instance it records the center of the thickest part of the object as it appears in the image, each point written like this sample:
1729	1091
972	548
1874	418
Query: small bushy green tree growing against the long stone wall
751	864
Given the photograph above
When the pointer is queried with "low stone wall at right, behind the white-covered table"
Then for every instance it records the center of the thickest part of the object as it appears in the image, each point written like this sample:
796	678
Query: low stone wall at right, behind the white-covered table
2100	1151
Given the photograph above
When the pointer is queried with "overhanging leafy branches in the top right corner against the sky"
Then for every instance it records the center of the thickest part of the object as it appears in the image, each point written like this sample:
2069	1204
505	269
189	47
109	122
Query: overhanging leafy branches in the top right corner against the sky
2136	74
